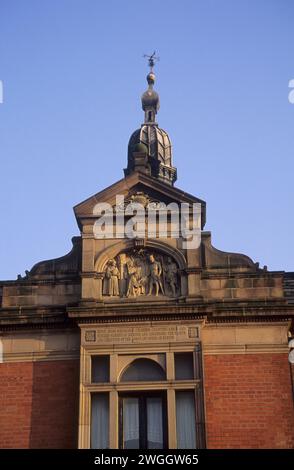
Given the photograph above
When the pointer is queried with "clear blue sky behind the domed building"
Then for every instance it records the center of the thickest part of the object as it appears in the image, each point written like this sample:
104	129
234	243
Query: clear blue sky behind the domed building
73	73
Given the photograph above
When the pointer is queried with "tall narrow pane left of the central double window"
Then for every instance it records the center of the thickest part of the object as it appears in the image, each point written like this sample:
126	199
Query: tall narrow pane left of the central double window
100	421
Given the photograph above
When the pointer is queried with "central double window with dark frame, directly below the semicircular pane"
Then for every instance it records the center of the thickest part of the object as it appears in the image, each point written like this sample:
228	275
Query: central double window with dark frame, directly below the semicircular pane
143	421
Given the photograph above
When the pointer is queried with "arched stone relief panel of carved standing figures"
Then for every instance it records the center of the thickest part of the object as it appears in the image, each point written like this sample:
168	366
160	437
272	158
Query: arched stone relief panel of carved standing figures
141	273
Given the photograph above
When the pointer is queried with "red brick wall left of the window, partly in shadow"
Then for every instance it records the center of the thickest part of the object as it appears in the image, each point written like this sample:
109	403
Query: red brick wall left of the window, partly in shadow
39	404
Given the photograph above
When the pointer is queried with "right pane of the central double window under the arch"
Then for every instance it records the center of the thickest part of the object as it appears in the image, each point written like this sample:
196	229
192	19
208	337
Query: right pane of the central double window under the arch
154	423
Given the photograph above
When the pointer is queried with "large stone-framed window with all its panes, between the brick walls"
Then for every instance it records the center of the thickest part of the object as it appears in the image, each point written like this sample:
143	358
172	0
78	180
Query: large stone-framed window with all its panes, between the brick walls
153	401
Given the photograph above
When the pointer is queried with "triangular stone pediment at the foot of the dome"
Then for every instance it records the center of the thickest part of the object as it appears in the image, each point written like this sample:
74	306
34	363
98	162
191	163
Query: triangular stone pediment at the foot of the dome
136	183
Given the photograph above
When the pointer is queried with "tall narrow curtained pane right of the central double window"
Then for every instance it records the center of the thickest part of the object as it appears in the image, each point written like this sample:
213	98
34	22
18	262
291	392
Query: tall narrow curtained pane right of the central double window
185	413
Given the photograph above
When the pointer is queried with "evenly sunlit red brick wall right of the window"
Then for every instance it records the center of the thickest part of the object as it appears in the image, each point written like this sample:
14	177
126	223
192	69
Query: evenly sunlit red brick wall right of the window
248	401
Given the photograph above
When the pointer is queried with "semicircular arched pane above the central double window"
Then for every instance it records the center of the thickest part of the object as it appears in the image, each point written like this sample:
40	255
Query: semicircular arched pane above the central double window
143	369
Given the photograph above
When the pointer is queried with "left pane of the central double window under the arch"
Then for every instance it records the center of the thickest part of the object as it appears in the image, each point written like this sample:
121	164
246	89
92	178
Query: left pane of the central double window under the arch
131	423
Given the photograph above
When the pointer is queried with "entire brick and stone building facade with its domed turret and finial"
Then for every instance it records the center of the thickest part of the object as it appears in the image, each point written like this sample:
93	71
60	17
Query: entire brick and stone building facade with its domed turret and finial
143	341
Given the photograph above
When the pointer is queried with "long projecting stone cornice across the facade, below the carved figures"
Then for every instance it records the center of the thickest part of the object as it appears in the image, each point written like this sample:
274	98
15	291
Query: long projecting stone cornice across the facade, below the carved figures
13	318
